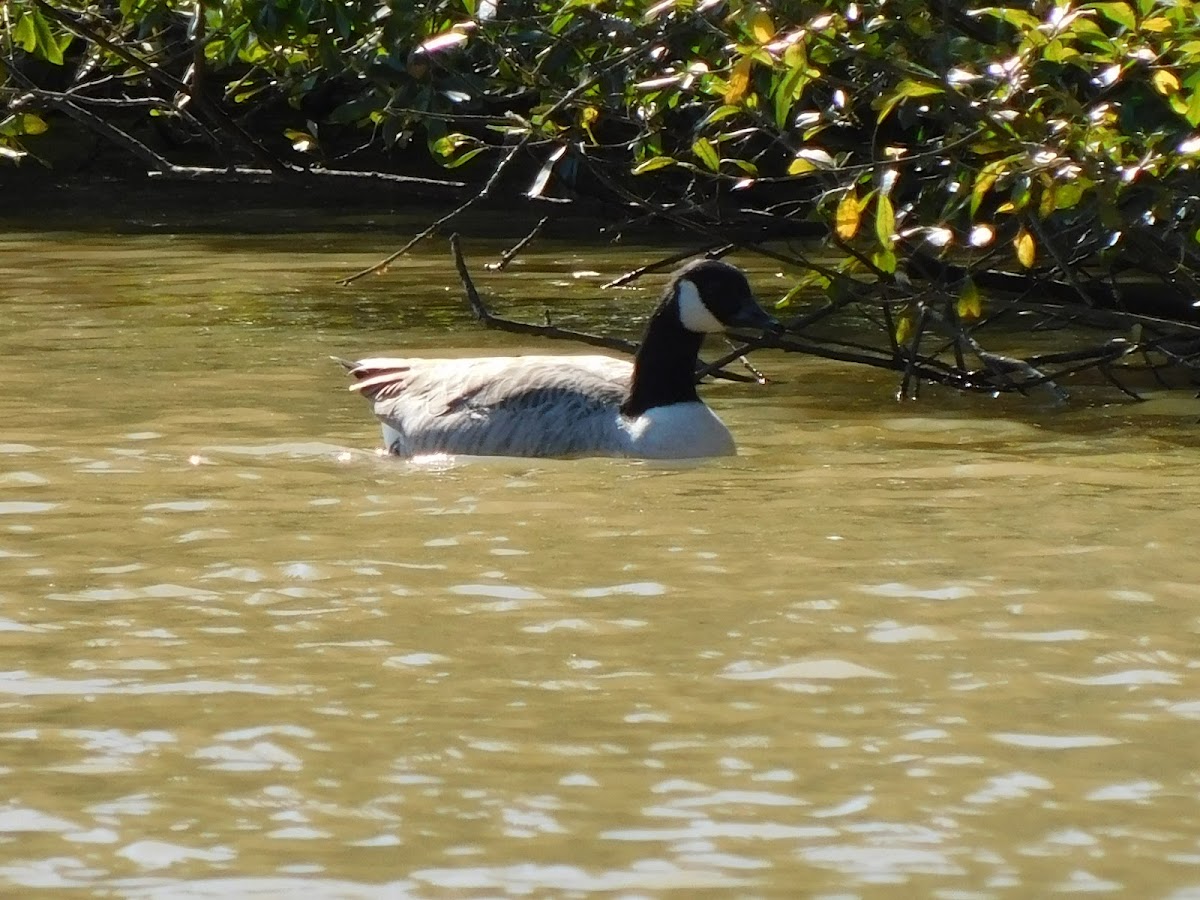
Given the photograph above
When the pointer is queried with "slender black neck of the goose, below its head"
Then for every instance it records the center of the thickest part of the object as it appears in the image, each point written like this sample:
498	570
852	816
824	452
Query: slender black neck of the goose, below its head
665	365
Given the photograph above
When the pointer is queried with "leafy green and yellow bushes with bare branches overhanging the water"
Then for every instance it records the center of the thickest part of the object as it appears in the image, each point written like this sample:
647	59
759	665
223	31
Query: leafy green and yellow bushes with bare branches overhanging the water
934	179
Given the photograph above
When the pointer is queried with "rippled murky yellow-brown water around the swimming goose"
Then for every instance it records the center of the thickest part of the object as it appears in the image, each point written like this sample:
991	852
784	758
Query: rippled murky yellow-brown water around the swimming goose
937	650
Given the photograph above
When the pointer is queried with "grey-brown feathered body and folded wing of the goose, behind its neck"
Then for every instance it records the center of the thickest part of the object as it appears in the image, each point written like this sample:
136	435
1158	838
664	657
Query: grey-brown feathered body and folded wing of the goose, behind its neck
503	406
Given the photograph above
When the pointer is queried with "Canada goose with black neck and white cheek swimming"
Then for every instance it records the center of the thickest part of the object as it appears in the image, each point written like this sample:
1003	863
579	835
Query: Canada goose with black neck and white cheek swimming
572	406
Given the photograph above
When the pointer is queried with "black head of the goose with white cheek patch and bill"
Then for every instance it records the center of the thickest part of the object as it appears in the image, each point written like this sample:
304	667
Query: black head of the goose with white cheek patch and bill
713	297
